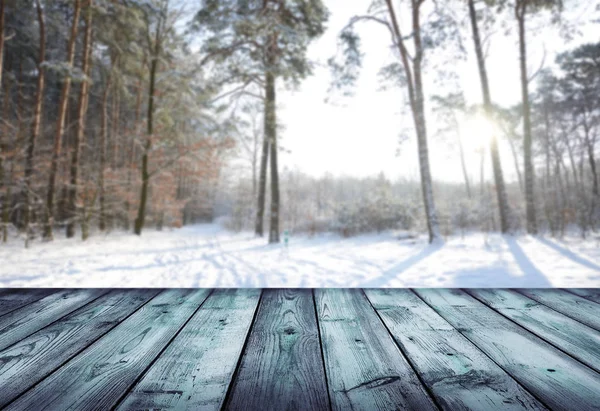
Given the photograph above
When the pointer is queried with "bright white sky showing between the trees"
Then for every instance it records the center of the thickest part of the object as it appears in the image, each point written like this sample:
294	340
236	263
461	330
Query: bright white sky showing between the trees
360	135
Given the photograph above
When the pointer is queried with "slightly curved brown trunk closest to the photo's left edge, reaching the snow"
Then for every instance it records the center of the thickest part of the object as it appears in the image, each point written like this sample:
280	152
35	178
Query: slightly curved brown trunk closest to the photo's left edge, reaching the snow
37	117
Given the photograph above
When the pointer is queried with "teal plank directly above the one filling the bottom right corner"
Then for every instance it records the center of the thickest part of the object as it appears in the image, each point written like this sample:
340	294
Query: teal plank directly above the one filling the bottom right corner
579	340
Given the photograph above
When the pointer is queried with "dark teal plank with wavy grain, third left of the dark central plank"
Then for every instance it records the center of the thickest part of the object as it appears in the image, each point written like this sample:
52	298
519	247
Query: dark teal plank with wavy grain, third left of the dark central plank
33	358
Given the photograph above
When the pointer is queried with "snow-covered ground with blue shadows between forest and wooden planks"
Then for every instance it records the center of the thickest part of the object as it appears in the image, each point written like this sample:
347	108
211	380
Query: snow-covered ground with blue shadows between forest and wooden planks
209	256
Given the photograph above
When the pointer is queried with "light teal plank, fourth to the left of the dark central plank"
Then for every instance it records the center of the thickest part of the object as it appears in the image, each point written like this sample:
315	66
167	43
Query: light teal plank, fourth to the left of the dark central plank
18	324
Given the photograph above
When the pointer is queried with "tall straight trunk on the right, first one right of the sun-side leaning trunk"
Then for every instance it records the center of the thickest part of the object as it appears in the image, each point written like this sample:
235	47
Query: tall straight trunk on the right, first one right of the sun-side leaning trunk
520	9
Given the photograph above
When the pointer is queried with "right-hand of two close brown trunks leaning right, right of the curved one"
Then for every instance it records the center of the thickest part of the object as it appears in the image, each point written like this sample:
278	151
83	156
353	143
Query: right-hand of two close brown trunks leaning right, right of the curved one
80	126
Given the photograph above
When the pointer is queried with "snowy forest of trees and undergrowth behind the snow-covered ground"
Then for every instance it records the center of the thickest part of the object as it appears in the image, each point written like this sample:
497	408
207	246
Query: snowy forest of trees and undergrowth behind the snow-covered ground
146	114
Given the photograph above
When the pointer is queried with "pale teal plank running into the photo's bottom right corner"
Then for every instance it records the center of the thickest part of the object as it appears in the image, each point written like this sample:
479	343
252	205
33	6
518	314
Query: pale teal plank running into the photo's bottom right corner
553	377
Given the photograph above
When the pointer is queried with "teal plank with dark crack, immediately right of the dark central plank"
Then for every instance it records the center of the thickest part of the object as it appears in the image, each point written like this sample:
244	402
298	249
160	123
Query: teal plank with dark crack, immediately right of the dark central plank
364	367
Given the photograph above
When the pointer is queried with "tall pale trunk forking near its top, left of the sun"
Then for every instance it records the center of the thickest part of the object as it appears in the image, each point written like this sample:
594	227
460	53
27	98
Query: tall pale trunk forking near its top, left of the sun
415	93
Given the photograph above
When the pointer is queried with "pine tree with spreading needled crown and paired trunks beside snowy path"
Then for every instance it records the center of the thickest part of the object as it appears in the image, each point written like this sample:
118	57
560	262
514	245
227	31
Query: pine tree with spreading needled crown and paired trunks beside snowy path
261	42
